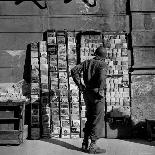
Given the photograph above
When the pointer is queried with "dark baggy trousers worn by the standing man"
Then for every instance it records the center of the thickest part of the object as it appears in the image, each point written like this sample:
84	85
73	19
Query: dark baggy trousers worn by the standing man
94	114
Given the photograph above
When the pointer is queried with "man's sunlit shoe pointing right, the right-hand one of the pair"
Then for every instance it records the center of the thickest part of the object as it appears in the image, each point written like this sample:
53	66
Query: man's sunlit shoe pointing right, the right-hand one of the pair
94	149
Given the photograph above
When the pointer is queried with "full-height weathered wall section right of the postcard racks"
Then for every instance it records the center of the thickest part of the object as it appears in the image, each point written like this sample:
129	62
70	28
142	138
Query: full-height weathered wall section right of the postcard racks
142	79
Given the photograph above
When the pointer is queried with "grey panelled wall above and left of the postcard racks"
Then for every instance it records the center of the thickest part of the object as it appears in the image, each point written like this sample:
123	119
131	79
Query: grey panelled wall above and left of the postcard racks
25	23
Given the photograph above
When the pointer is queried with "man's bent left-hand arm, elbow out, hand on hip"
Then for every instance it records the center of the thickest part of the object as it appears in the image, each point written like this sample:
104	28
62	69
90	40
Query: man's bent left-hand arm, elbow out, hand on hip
76	75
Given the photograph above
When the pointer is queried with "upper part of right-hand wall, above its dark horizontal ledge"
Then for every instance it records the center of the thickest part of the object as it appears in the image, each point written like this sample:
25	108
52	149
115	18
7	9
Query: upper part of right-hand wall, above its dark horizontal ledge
143	32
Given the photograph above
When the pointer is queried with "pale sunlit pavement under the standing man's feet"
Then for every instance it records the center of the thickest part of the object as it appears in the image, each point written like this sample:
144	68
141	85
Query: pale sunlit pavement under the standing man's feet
58	146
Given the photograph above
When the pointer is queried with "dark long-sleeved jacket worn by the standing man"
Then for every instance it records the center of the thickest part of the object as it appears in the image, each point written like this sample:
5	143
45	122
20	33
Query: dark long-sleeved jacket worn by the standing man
94	74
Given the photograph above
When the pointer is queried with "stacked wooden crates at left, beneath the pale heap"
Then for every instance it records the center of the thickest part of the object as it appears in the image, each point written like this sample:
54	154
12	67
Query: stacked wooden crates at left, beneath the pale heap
12	128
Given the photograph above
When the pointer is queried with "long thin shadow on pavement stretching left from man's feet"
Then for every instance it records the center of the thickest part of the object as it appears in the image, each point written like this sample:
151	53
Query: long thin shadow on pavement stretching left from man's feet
62	144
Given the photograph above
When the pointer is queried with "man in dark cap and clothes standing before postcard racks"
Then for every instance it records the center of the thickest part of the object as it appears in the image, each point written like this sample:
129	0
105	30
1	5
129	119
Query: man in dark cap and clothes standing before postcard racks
93	89
